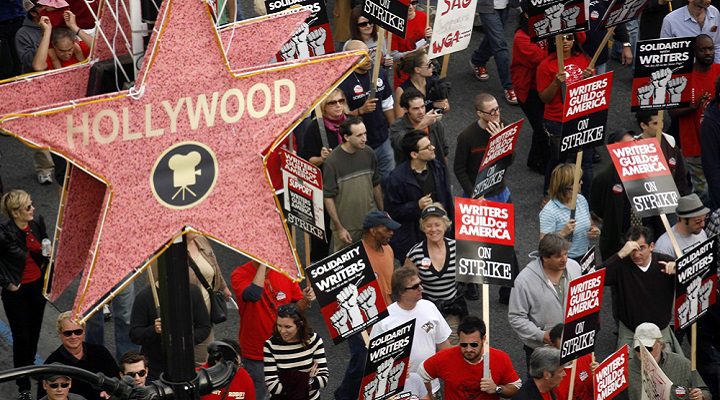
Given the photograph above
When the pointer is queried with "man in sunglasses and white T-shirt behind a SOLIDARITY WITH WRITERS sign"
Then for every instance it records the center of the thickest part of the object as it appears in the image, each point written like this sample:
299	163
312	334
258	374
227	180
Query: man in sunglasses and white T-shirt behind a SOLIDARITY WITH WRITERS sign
431	331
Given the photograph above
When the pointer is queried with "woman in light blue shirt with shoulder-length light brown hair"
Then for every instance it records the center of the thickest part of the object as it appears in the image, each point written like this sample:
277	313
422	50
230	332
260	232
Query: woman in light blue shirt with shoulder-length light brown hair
557	217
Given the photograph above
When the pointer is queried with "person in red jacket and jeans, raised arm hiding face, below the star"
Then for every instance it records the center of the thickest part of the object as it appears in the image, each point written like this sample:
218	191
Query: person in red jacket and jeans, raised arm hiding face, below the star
260	291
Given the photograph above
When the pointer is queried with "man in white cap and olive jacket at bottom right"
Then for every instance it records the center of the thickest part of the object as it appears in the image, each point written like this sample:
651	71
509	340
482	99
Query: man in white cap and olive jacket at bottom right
687	384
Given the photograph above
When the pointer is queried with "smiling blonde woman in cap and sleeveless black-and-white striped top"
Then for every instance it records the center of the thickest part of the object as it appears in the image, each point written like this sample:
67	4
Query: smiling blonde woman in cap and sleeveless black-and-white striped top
435	260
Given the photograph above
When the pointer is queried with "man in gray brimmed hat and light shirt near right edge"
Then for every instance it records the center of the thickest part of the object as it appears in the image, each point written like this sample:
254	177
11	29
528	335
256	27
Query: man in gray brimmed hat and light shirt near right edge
689	231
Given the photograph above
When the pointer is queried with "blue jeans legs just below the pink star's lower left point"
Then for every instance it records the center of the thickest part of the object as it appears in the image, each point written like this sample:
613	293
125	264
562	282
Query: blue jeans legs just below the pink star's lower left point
122	308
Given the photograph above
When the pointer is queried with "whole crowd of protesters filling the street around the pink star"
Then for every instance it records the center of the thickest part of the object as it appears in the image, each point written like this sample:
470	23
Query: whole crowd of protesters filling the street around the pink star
386	170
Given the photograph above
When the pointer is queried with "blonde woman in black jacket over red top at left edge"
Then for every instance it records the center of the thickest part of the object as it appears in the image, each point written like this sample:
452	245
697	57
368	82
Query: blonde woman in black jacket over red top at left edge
22	265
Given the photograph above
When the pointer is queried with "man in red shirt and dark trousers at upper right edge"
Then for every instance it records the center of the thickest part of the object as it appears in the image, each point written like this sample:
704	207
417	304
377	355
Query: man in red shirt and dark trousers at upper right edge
703	80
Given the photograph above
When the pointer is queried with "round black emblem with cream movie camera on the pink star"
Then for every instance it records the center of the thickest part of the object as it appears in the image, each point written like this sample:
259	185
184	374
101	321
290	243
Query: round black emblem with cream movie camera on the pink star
184	175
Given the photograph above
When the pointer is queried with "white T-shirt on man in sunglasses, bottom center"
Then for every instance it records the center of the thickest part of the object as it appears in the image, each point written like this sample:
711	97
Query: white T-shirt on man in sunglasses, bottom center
430	330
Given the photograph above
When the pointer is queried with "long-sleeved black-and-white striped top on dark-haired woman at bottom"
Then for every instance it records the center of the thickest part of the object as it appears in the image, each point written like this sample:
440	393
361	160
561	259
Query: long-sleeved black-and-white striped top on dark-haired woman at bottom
281	356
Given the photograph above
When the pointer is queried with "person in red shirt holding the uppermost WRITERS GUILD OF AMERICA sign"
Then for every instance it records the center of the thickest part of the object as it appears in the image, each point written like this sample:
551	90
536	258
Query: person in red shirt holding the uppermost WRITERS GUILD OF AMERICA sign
551	86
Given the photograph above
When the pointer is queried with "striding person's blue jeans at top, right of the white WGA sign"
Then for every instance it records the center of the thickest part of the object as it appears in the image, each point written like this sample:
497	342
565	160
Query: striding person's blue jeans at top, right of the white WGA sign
494	44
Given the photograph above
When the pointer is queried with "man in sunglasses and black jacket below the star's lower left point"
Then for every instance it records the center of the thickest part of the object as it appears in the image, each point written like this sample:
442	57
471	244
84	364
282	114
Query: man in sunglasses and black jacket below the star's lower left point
75	352
